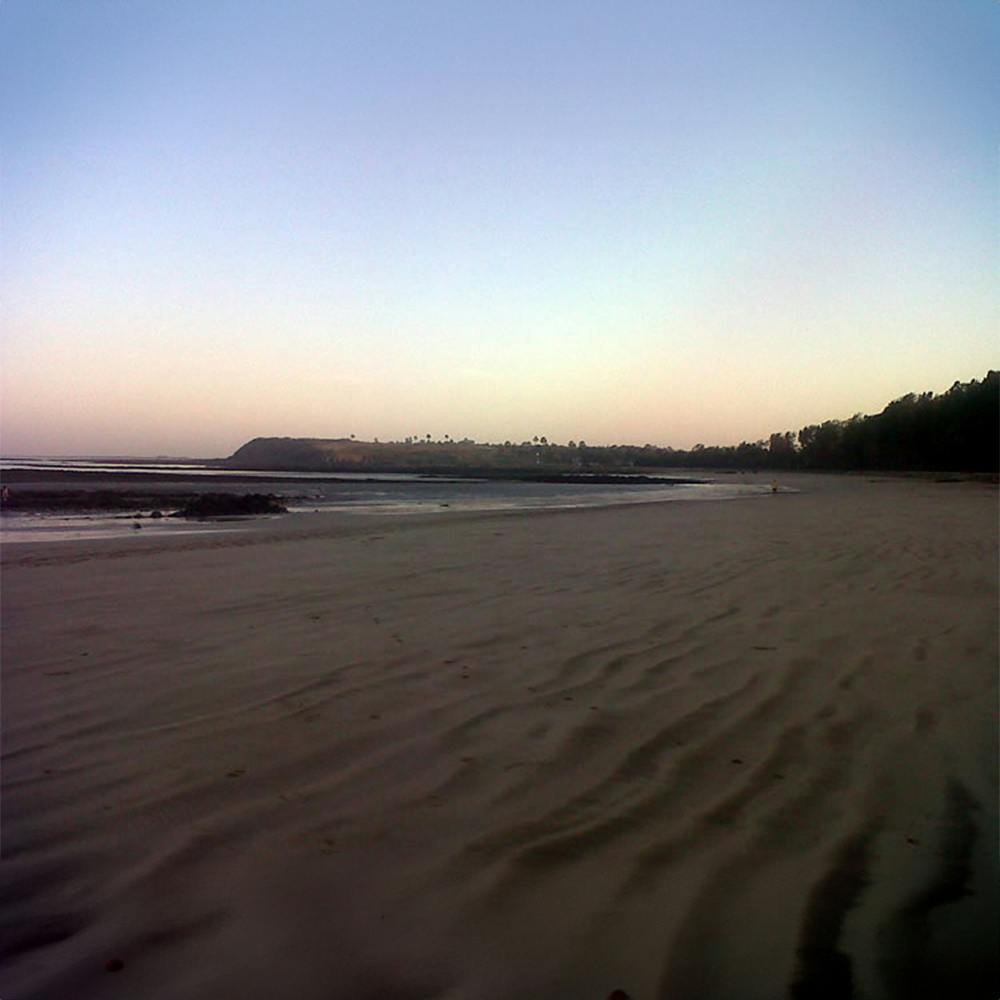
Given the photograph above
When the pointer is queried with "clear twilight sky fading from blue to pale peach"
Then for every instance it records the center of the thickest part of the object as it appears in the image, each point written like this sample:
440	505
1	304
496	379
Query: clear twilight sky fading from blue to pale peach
672	222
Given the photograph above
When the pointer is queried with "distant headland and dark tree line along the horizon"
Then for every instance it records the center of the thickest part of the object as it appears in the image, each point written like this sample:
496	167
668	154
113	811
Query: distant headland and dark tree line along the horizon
955	431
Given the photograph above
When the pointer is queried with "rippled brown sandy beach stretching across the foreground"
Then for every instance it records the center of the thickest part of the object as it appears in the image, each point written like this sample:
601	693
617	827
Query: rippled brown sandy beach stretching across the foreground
738	749
